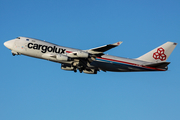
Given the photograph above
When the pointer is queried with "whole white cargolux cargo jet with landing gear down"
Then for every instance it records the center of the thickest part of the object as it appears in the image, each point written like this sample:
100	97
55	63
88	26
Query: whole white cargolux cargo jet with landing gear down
92	60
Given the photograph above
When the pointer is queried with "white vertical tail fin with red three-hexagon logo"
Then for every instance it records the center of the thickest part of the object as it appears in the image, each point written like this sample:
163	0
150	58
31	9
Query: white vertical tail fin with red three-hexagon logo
159	54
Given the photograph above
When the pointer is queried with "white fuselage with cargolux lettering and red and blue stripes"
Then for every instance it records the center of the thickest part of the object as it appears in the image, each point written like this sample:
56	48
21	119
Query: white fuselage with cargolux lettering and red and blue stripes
45	50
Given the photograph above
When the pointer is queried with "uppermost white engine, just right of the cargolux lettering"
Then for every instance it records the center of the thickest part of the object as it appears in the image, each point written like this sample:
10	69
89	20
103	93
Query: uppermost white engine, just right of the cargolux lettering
79	54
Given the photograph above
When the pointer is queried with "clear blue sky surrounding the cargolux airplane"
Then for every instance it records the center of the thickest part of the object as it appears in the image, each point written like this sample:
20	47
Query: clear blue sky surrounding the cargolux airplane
34	89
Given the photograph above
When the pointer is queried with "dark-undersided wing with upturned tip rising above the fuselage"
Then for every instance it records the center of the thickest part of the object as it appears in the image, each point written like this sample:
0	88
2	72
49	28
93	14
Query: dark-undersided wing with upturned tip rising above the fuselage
104	48
